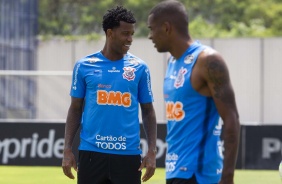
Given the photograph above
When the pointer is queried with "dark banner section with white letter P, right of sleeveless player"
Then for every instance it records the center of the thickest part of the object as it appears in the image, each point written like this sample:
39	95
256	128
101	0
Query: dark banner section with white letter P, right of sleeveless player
261	147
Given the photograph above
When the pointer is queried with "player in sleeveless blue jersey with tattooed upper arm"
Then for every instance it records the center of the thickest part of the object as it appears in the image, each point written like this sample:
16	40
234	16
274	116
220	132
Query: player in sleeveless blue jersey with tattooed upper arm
197	92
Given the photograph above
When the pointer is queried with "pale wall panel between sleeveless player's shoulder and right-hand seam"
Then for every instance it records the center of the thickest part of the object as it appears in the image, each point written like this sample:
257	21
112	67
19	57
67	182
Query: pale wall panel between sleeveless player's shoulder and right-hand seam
243	60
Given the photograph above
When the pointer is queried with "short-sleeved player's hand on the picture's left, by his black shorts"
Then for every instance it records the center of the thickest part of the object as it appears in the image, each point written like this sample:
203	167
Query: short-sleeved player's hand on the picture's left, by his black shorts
69	162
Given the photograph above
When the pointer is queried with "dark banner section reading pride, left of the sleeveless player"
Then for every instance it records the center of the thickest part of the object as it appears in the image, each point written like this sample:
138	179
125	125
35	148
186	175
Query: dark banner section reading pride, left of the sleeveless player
41	144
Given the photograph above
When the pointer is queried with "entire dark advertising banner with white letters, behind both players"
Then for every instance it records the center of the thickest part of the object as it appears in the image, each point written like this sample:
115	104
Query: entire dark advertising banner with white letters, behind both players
41	144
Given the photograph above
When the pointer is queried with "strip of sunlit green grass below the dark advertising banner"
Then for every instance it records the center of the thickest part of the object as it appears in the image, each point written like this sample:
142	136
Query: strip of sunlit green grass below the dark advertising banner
54	175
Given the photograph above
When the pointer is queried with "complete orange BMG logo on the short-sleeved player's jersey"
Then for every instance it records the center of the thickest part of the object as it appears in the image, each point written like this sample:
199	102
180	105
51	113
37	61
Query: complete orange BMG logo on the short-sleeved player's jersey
113	98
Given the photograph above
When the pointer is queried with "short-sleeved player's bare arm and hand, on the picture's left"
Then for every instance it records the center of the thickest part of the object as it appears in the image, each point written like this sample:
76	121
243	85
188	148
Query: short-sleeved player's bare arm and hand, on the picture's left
72	125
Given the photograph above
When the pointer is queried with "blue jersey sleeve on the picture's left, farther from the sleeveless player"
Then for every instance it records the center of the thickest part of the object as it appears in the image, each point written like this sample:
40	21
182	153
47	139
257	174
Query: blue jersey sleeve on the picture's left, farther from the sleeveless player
78	83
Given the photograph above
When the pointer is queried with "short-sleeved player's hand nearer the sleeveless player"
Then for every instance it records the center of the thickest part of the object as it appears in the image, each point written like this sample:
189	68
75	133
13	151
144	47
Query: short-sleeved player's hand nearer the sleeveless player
149	161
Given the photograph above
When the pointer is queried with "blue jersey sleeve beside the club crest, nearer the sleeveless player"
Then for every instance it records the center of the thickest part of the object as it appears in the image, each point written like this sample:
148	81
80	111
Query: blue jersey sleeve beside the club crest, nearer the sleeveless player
145	94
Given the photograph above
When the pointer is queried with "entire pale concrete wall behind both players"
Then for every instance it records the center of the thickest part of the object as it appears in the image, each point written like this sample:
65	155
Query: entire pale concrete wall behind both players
254	66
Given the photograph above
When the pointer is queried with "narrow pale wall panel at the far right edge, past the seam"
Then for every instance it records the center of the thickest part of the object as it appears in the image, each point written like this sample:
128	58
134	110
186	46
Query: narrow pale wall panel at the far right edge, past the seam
272	99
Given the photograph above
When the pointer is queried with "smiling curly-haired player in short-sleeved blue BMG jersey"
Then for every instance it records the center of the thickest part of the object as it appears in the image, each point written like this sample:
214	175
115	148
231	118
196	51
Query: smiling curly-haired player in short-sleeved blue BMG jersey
107	88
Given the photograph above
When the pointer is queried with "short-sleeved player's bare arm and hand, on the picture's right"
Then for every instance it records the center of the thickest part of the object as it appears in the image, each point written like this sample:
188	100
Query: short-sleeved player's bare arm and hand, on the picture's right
150	128
